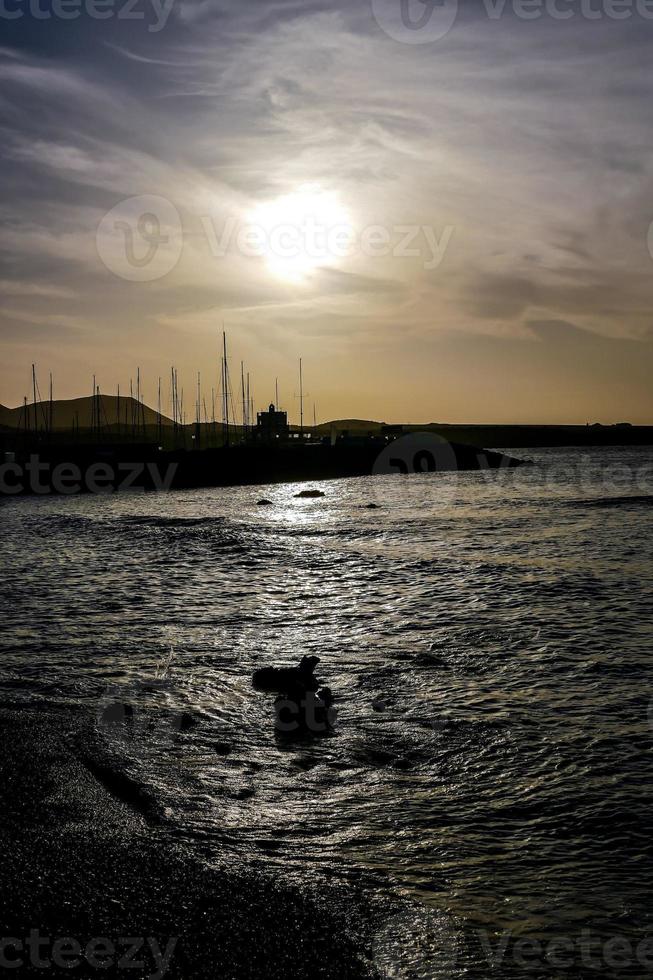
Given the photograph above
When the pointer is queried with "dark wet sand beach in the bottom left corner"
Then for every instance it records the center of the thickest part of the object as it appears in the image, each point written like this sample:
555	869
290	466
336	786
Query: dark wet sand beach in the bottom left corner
84	856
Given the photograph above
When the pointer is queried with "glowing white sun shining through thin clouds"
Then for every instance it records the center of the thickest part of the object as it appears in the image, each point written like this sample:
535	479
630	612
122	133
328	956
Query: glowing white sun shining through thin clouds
302	231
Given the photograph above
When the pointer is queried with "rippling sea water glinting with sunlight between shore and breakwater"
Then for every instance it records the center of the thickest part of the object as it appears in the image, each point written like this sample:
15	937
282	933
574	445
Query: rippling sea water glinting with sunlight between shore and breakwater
502	621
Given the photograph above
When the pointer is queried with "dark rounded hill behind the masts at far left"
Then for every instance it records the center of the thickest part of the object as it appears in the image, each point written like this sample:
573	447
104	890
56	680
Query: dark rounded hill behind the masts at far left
79	412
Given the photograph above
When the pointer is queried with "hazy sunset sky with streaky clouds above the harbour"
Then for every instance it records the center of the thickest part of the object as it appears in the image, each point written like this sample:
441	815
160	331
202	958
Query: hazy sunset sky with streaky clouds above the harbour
444	209
